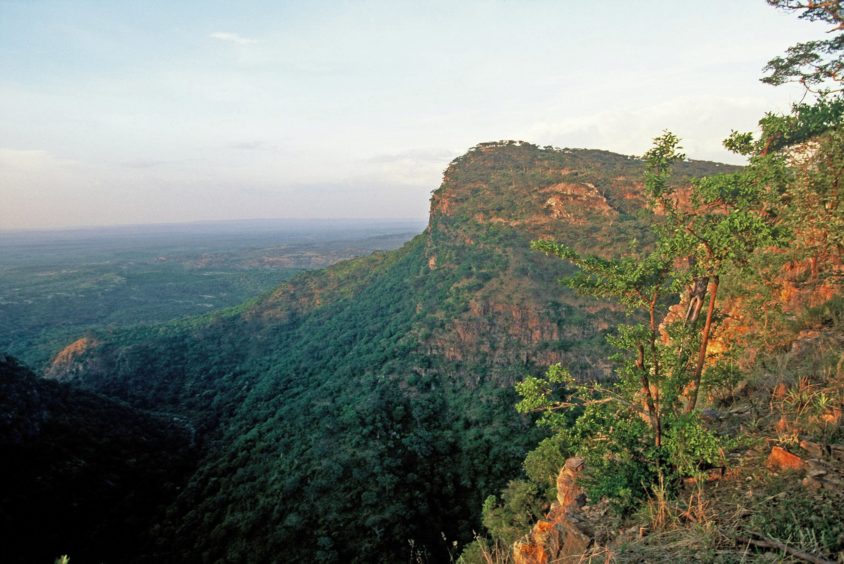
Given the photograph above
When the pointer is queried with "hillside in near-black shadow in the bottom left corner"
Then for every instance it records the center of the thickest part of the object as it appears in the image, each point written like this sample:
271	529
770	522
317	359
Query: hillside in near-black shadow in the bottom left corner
83	474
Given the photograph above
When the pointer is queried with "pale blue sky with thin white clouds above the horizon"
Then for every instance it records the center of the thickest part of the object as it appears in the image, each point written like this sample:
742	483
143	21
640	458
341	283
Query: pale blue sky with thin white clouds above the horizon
122	112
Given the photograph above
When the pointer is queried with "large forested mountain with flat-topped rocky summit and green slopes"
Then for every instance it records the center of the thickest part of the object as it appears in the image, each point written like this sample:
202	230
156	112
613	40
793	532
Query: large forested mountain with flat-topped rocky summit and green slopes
364	412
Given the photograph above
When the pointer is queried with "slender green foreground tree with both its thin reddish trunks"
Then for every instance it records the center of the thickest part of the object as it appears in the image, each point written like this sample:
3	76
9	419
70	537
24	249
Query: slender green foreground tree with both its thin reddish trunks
714	226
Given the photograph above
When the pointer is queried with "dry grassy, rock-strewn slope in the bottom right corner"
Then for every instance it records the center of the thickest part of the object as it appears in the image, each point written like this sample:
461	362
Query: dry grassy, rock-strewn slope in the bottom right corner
754	514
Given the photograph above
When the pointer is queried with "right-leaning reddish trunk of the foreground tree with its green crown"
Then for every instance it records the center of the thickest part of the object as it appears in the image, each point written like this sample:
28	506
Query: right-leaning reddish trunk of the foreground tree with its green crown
725	219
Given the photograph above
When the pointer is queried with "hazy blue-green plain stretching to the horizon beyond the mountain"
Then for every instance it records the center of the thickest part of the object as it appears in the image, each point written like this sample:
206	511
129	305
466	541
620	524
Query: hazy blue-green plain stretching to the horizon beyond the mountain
56	285
